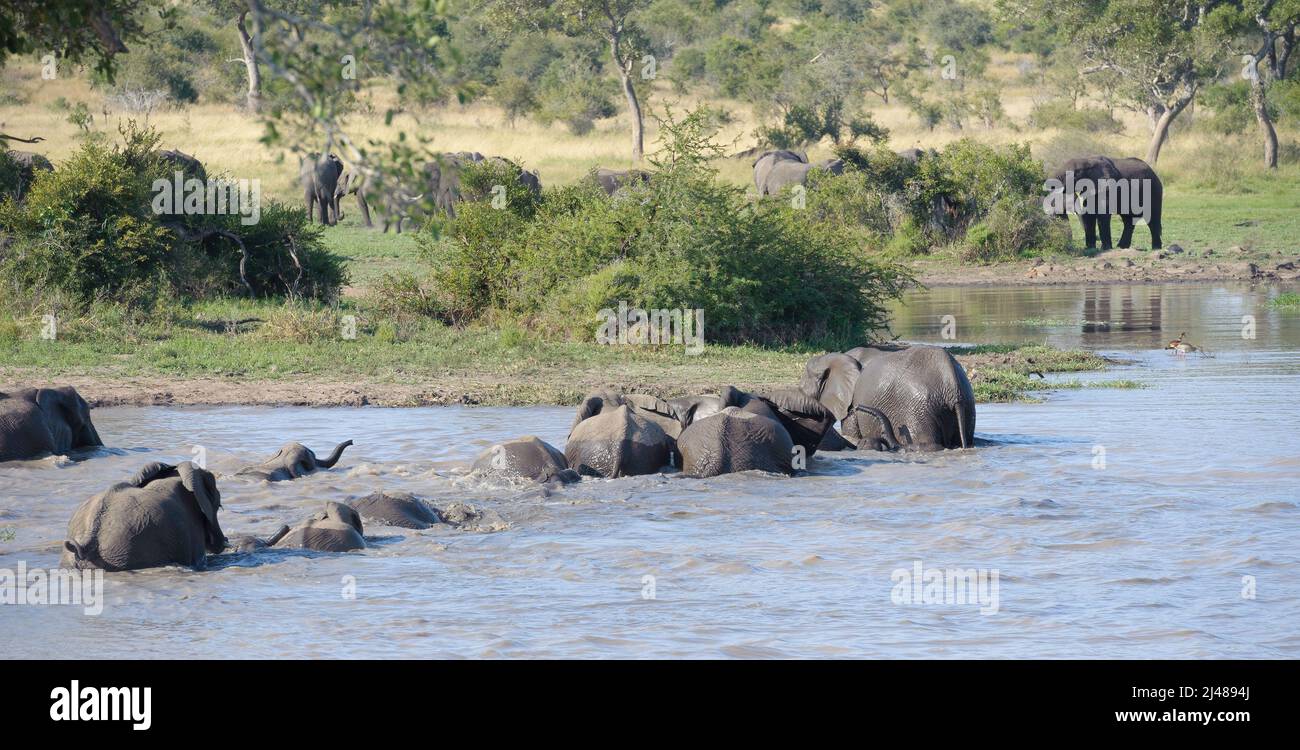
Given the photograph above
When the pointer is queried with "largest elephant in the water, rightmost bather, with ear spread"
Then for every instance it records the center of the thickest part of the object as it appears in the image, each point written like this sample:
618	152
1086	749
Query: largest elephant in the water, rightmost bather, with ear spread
911	397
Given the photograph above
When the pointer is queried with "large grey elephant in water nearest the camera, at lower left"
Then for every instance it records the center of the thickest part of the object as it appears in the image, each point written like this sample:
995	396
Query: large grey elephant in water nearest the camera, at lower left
166	515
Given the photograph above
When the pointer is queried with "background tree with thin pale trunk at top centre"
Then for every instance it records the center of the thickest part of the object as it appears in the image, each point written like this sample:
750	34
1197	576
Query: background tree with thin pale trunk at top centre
612	21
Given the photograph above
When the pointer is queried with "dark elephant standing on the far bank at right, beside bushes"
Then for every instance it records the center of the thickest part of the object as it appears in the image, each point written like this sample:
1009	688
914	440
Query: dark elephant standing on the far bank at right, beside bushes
1116	181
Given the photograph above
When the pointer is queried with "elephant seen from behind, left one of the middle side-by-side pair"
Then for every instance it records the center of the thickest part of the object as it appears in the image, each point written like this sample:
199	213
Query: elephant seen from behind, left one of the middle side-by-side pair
622	436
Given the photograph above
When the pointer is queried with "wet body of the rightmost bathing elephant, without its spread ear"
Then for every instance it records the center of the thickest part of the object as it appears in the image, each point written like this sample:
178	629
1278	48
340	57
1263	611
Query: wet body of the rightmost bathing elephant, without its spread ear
916	398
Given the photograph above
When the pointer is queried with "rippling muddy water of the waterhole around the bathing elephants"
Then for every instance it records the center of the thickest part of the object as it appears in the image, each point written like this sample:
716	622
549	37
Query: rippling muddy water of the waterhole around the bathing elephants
1185	543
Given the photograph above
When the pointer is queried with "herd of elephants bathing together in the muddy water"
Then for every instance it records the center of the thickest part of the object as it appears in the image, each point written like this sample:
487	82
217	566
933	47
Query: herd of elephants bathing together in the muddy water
885	398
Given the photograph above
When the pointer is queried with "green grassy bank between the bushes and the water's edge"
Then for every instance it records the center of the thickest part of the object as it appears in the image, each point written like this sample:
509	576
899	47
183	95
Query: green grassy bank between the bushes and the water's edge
271	353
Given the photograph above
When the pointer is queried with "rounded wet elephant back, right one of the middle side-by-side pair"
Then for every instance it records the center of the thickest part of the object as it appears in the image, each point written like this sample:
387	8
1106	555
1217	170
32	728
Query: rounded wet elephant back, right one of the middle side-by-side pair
735	440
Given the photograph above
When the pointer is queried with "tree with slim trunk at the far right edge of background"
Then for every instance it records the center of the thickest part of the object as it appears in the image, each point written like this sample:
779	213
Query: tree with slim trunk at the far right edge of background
1267	37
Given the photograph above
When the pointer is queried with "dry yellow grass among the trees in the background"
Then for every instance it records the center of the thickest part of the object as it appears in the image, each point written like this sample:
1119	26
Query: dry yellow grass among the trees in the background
227	140
